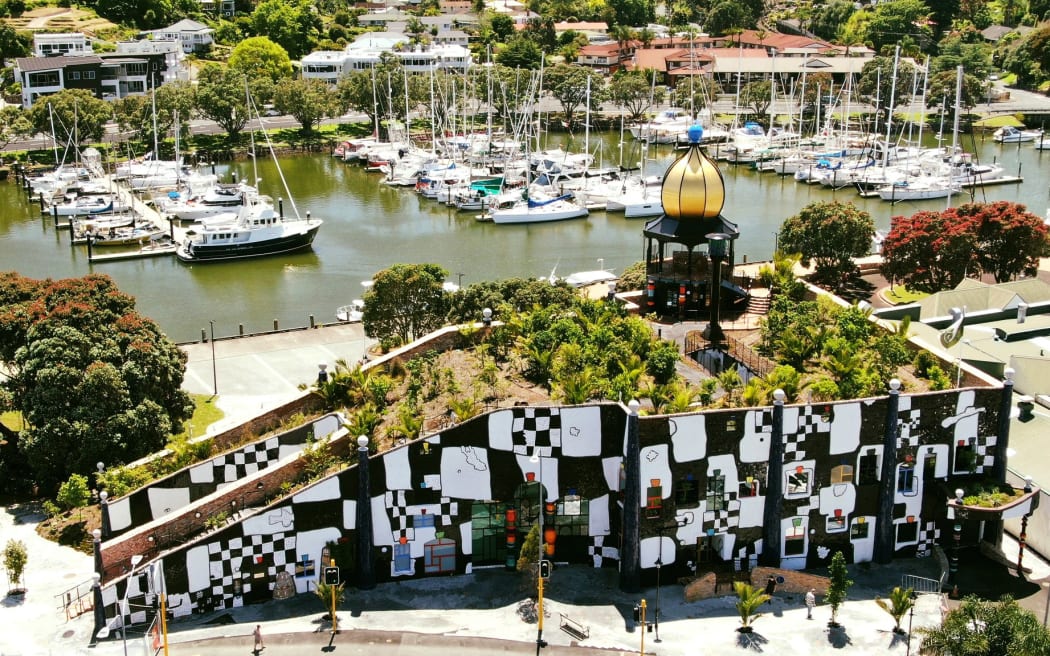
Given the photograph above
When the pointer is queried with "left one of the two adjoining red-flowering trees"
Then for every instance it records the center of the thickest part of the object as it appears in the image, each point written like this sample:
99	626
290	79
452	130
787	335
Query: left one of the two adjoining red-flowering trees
930	251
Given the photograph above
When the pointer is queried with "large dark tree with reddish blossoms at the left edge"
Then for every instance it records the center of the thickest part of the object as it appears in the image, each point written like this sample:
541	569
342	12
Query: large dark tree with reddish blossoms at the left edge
94	379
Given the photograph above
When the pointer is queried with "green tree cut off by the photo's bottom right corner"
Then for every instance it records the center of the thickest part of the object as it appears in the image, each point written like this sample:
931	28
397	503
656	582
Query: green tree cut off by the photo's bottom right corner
979	628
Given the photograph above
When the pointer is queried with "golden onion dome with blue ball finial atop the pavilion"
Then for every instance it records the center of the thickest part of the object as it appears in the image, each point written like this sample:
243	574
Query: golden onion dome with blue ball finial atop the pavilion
694	187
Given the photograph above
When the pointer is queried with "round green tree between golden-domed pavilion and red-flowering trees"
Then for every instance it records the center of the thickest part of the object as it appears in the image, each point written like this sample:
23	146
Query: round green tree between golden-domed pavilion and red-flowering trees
830	235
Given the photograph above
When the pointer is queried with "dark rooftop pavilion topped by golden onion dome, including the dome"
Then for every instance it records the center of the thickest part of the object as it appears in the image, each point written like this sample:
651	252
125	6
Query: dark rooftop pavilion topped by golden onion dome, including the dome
692	245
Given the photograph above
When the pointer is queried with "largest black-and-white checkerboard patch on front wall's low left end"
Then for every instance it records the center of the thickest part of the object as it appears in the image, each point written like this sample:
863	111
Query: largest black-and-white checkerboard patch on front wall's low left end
278	551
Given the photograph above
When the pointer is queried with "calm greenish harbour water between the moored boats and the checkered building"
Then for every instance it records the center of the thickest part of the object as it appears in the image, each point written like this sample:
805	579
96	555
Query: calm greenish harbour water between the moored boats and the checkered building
370	227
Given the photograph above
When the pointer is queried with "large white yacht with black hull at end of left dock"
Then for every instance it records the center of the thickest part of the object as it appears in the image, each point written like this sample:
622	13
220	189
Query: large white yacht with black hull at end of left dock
257	229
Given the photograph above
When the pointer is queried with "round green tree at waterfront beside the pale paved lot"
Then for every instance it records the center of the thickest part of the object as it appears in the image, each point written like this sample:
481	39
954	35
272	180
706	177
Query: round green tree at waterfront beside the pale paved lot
406	303
